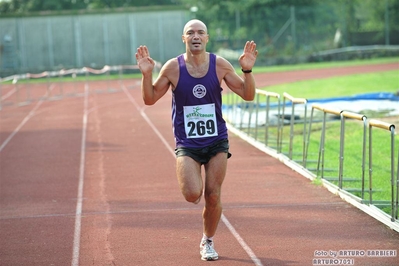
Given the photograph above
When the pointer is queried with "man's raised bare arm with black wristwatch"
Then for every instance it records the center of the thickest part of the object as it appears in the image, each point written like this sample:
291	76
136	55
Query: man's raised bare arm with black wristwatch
243	86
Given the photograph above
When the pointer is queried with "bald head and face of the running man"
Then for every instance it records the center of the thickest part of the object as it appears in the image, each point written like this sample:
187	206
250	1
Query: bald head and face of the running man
195	36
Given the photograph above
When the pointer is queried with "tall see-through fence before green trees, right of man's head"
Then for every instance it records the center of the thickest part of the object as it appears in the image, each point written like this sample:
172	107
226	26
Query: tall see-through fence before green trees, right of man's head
298	33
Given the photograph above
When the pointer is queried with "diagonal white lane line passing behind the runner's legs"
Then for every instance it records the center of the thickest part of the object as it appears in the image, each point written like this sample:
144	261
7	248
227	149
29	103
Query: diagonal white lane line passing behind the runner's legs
241	241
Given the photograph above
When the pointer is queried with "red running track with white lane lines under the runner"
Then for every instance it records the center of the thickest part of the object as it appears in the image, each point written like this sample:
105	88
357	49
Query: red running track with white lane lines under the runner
90	180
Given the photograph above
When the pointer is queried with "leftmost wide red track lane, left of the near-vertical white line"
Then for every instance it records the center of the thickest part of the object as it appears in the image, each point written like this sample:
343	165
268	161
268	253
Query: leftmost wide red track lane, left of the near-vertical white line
39	169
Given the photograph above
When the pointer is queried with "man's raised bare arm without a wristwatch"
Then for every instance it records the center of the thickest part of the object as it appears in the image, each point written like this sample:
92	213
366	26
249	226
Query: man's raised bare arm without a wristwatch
151	92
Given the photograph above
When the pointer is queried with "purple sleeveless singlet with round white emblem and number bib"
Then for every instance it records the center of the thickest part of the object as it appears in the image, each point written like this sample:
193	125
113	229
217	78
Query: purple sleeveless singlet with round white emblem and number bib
197	108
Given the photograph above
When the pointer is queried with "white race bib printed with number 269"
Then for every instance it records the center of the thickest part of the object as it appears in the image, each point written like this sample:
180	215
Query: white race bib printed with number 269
200	121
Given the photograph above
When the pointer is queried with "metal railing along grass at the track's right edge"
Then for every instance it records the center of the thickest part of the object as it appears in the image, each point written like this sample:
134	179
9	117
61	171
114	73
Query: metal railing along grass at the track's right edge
246	117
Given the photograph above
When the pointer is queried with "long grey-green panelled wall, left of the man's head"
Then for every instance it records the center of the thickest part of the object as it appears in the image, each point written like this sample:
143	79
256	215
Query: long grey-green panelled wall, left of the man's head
36	44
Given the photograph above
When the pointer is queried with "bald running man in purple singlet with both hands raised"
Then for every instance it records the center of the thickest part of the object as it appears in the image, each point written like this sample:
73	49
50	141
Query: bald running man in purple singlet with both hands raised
195	79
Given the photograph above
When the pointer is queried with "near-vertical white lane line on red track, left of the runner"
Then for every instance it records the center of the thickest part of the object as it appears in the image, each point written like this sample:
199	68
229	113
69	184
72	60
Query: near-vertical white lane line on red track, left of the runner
78	214
